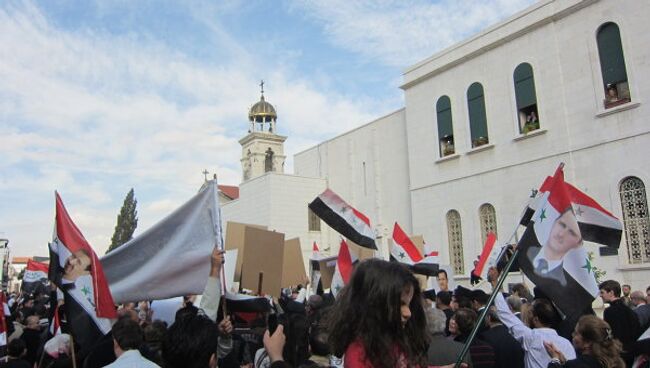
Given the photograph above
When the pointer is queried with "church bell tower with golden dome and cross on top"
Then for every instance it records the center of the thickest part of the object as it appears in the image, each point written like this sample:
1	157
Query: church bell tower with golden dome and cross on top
262	147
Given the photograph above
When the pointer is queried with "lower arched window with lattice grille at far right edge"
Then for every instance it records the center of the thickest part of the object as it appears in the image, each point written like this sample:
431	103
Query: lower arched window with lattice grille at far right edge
635	219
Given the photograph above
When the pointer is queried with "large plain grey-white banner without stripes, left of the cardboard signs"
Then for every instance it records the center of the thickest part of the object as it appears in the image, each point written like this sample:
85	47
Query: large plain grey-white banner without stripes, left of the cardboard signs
173	257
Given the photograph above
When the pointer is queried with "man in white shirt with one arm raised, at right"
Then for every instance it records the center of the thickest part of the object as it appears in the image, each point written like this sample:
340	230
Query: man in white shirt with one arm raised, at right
532	337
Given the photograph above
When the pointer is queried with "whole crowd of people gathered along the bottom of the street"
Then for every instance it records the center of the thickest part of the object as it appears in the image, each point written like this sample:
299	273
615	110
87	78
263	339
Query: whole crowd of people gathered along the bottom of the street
381	319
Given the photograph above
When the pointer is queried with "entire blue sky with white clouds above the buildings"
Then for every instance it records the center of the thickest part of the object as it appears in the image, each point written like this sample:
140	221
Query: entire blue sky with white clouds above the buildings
100	96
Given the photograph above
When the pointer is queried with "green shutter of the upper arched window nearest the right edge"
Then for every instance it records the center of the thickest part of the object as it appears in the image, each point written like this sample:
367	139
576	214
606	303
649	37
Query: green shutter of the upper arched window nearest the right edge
610	51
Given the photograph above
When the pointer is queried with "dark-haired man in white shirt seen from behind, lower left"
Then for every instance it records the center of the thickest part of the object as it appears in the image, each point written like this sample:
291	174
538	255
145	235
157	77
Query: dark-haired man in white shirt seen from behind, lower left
127	338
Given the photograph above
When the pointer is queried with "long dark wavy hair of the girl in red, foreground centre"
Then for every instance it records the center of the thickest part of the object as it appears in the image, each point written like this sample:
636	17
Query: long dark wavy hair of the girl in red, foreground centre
368	309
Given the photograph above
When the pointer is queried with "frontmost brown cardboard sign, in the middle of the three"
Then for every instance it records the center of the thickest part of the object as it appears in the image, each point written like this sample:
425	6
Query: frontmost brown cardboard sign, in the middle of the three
264	254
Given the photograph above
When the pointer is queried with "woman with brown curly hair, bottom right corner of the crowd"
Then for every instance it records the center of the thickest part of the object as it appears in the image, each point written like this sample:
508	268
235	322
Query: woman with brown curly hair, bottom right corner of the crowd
596	346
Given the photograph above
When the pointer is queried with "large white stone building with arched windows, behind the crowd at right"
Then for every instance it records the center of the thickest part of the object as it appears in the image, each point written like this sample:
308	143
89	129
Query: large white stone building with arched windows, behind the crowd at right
484	122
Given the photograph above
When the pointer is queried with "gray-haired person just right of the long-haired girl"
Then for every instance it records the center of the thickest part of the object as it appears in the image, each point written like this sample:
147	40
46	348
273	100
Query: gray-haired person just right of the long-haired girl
442	351
